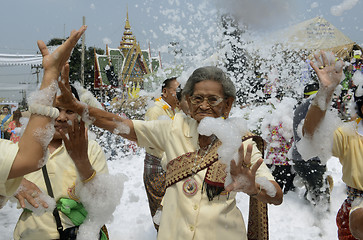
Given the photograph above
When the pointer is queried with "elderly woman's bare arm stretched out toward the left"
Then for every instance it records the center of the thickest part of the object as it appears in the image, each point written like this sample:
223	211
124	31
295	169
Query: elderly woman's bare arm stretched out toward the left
101	118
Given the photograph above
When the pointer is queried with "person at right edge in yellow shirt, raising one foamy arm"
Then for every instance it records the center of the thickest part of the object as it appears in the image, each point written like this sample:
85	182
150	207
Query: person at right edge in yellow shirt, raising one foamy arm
346	142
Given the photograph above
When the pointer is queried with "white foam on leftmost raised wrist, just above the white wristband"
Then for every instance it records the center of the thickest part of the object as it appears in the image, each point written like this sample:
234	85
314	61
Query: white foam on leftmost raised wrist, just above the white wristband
44	96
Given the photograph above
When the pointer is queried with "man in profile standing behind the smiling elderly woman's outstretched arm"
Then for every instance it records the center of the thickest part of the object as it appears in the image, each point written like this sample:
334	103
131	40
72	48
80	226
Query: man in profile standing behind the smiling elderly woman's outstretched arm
164	107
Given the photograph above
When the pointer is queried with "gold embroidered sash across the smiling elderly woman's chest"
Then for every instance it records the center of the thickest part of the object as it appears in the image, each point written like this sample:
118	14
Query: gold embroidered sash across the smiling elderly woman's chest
182	167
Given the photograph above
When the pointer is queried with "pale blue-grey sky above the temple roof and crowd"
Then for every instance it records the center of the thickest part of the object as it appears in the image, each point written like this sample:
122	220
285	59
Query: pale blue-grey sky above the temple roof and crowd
154	21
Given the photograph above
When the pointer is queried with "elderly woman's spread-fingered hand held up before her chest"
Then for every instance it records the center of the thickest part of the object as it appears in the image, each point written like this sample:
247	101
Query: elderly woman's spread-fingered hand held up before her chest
243	174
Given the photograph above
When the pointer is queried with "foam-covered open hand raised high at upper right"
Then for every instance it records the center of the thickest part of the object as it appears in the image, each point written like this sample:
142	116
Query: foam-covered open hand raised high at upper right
328	70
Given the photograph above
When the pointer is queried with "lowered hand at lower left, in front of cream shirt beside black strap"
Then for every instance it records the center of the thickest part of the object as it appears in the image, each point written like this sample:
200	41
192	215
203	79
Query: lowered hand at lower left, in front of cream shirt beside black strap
30	192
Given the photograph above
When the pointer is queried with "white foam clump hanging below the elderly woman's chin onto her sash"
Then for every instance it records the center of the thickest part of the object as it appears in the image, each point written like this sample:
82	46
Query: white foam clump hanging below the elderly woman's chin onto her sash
230	132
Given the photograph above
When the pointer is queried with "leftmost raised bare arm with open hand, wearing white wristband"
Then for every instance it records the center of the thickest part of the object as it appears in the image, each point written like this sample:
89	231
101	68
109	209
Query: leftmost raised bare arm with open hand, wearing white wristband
31	148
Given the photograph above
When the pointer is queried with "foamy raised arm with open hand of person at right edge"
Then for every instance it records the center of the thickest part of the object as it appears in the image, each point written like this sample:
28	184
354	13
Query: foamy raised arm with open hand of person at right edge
329	73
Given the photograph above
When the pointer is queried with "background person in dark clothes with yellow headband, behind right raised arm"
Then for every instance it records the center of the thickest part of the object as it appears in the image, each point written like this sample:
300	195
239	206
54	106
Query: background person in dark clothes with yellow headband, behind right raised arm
311	170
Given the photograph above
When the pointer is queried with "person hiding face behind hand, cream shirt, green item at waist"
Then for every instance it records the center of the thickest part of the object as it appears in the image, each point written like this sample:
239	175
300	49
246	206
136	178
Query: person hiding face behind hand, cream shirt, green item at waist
72	161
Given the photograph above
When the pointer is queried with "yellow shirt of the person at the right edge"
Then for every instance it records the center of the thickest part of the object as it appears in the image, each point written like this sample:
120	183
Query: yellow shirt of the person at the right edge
349	149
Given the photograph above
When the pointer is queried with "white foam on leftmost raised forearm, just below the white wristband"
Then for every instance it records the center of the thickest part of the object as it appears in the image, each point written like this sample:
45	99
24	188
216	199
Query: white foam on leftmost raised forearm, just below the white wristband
44	136
